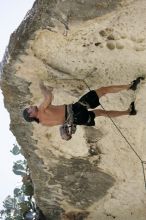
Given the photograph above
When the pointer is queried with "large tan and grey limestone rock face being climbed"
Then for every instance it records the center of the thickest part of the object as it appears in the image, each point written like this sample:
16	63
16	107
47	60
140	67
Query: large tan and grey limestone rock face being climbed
69	45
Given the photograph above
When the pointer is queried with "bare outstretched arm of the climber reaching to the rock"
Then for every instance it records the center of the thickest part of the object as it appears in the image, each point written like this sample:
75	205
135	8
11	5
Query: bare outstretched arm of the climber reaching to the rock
48	96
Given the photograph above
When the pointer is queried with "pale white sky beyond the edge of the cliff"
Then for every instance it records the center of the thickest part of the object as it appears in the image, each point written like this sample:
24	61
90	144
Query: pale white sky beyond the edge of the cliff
12	13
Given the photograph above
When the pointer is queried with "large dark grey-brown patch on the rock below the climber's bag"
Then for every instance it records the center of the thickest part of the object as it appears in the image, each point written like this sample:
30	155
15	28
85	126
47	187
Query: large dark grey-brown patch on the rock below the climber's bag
82	183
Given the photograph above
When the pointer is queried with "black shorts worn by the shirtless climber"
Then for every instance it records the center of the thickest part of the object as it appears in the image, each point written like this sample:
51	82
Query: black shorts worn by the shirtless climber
81	114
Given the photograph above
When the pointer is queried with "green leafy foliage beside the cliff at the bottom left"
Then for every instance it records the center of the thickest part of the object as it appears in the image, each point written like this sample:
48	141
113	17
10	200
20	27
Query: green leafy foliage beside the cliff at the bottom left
15	208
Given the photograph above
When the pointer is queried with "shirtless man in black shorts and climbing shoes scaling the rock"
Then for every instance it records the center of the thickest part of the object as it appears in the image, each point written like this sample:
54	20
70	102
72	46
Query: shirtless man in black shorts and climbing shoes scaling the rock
51	115
